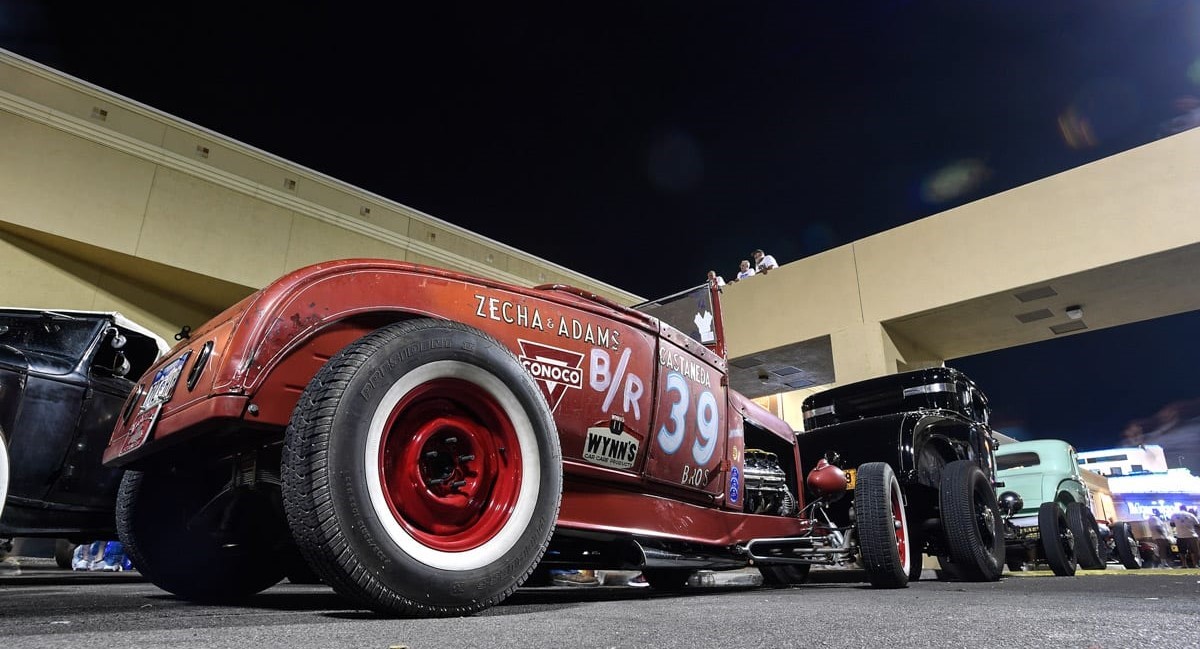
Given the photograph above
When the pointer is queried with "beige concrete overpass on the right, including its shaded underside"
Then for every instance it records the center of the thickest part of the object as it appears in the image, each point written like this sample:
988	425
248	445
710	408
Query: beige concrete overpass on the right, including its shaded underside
1119	238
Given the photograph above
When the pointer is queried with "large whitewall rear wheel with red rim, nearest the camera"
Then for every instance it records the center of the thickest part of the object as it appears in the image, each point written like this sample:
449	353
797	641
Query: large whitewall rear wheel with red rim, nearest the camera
423	471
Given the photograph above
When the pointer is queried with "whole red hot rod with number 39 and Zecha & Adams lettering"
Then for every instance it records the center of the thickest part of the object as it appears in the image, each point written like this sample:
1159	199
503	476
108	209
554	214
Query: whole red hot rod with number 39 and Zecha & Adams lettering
424	441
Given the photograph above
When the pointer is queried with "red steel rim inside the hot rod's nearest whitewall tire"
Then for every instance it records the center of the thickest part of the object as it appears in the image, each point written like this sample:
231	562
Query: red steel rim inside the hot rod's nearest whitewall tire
451	465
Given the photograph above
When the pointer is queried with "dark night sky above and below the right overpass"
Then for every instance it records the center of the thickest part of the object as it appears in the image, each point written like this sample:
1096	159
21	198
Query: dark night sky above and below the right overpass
680	136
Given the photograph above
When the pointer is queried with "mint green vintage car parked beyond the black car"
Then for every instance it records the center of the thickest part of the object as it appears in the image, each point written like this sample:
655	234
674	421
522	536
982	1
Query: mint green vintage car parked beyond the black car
1048	509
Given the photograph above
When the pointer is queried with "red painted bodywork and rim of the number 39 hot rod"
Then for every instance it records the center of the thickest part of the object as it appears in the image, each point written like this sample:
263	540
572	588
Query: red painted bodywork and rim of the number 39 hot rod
595	362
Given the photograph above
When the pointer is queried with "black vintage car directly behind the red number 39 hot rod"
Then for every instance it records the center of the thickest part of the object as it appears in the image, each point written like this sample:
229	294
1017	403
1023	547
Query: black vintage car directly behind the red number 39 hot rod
931	426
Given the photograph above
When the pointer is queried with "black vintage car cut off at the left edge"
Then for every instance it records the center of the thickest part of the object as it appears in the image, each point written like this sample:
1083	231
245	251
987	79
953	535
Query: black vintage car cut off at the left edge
64	377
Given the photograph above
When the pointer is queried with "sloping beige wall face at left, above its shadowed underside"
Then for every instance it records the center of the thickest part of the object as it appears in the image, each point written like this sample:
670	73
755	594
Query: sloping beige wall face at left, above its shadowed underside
83	164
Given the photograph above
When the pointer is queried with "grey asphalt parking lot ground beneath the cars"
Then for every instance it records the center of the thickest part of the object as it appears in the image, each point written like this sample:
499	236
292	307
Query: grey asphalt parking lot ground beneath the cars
1112	609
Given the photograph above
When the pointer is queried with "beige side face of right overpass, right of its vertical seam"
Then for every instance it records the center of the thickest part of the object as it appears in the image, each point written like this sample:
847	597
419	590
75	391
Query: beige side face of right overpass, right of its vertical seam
1100	214
